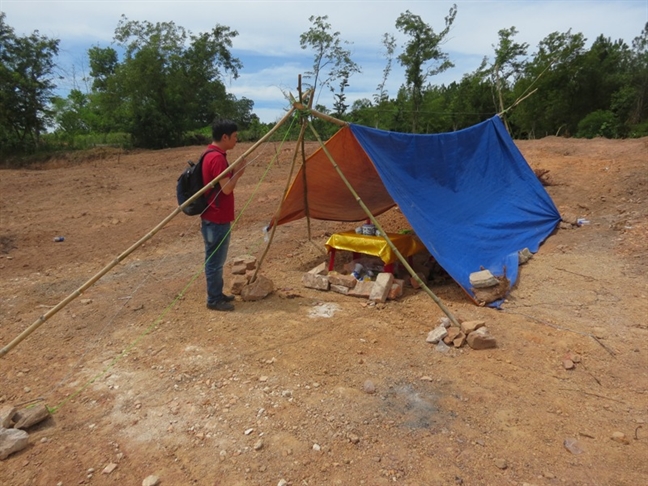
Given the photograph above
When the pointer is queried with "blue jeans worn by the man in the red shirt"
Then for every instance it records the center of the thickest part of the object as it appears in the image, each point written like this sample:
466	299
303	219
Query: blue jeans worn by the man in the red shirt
216	237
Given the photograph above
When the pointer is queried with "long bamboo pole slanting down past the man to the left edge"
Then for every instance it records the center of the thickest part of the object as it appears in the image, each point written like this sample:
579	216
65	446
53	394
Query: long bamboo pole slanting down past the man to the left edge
42	319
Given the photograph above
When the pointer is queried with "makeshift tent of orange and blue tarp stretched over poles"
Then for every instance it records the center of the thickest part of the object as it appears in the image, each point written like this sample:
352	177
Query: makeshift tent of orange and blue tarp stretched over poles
469	195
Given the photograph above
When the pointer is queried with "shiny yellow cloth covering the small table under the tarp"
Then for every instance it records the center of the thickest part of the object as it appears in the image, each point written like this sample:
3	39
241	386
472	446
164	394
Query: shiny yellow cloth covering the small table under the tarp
406	244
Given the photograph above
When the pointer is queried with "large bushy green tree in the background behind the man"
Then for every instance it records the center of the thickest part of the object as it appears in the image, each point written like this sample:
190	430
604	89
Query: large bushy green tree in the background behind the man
168	83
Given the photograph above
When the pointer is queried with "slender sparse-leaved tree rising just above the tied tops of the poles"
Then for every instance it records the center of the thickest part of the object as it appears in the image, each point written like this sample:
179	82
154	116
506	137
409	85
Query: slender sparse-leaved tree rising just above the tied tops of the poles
331	61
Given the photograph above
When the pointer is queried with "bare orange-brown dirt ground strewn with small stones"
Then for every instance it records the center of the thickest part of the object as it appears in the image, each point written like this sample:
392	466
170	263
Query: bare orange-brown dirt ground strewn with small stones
142	376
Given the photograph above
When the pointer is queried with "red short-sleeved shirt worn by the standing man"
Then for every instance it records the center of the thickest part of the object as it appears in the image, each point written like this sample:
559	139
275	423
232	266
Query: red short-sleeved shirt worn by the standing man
221	210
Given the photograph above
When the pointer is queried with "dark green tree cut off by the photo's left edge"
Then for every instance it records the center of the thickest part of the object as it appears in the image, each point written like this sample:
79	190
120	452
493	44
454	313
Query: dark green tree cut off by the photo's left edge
26	88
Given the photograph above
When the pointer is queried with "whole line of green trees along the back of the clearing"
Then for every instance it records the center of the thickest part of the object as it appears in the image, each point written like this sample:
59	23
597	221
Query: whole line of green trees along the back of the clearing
158	83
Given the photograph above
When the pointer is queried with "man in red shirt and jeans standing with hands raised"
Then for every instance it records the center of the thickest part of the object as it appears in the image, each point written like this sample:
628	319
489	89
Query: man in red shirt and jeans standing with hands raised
217	218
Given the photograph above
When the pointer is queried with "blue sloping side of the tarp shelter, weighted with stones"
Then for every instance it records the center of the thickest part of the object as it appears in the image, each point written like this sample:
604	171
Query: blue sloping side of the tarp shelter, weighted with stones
469	195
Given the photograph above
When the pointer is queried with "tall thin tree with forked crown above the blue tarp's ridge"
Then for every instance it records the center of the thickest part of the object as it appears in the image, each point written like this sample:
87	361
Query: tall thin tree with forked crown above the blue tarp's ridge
423	46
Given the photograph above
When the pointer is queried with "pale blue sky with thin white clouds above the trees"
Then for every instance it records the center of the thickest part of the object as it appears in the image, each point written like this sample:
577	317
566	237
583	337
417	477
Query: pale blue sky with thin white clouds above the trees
267	43
